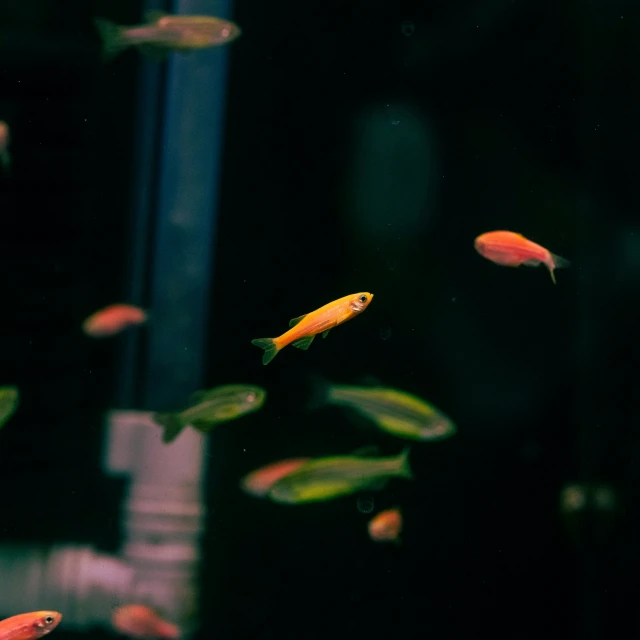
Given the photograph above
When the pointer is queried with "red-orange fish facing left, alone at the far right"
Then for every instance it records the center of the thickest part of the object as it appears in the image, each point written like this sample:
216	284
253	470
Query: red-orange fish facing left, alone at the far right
512	249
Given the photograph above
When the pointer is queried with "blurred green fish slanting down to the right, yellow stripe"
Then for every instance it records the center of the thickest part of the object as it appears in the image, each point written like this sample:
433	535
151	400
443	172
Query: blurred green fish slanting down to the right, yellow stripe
396	412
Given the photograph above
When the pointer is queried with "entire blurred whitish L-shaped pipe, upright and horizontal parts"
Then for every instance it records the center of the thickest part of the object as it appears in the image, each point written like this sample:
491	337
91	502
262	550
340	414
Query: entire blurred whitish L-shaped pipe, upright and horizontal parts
163	519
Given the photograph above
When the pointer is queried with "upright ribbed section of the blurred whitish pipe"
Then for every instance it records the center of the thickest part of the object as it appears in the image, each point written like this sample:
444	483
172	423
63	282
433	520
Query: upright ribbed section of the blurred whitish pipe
164	511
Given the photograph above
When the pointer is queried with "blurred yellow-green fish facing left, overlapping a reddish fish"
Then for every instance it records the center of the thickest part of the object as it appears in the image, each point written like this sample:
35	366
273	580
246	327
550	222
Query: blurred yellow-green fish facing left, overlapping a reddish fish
336	476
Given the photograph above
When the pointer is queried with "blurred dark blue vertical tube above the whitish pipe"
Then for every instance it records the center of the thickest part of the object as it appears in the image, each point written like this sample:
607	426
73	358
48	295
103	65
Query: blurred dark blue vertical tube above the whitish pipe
183	220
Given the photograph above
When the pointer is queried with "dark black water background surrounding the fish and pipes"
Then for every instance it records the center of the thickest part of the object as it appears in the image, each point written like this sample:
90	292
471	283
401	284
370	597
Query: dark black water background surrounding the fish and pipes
526	113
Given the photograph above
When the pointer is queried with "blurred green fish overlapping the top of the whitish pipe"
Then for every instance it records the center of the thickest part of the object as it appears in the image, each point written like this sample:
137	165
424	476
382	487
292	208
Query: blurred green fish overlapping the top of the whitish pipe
206	409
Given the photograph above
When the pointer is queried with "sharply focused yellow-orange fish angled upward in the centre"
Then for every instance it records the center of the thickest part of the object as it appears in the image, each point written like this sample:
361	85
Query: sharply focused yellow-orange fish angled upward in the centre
322	320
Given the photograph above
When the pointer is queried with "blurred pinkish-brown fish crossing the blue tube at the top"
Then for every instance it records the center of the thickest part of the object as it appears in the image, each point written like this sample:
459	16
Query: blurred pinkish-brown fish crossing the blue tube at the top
164	33
